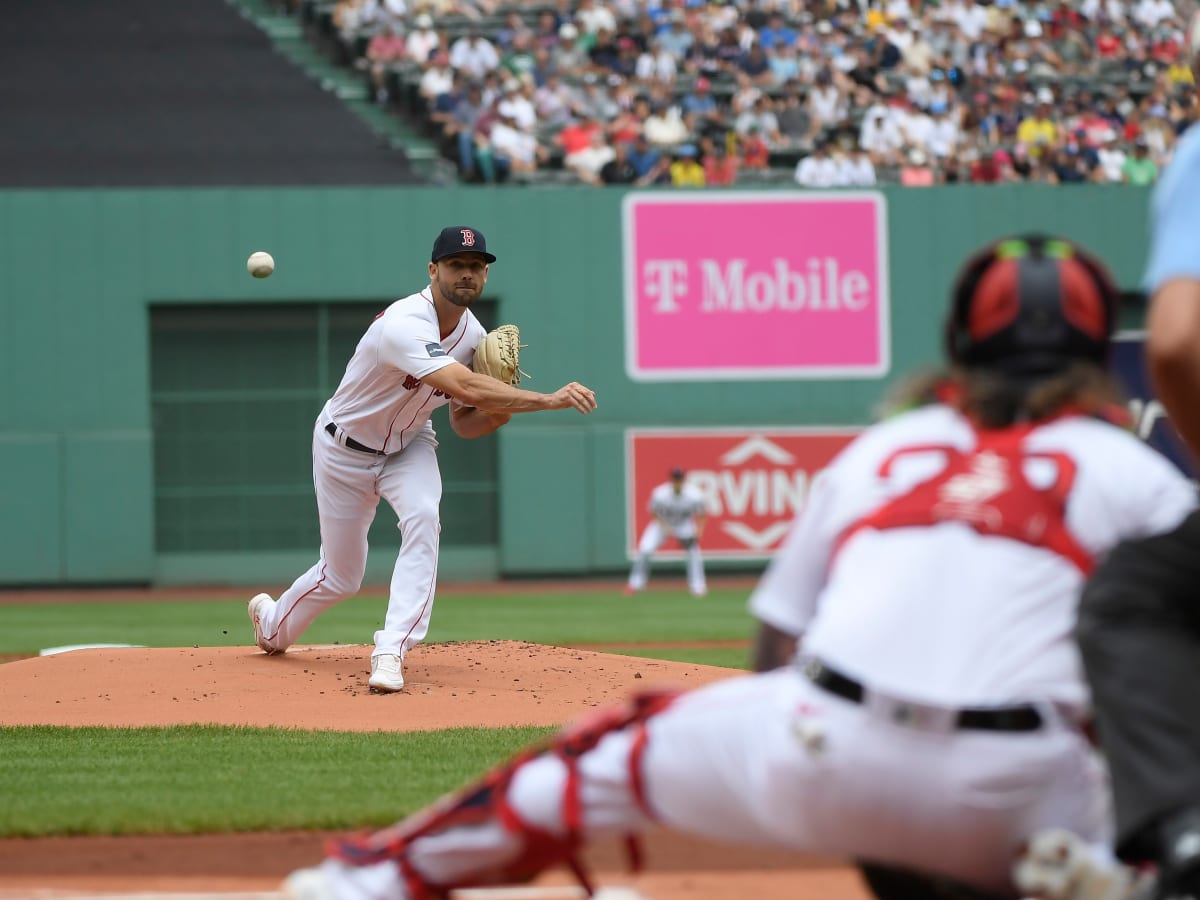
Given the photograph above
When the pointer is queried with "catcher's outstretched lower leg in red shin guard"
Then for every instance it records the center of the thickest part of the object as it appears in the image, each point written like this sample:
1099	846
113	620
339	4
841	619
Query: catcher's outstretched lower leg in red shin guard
521	819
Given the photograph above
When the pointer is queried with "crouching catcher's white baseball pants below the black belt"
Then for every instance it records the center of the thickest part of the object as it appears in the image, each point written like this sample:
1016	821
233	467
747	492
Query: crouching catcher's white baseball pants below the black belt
772	760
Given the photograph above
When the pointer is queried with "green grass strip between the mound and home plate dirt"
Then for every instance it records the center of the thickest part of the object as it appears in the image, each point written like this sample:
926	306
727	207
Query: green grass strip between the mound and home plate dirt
195	779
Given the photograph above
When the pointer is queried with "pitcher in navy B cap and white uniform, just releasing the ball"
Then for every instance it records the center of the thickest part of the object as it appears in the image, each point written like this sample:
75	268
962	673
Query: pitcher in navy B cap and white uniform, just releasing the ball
374	440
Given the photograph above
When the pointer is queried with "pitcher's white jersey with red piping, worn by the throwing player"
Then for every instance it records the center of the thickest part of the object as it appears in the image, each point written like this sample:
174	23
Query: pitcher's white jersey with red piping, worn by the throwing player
382	401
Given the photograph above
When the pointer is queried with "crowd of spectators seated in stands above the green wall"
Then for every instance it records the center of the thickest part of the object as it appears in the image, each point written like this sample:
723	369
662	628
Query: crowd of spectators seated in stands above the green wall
823	93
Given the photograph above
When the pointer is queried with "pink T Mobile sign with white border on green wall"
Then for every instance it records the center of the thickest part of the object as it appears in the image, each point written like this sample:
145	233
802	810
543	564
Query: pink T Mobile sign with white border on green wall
728	286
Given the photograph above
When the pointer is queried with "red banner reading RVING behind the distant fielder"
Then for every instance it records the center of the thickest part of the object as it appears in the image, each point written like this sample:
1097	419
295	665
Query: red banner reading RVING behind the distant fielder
753	482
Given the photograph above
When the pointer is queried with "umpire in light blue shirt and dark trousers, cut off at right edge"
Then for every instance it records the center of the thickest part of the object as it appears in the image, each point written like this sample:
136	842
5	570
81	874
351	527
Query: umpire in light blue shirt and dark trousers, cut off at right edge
1141	621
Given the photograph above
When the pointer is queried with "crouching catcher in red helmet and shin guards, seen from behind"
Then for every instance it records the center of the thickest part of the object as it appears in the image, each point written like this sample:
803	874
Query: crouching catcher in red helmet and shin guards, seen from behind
934	717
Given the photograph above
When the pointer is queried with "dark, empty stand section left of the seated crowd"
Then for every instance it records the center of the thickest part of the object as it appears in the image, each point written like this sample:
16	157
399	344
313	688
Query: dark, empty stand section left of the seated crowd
181	93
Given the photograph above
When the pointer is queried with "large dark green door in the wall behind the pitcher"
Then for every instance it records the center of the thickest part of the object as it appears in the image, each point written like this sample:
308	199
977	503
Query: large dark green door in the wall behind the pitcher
235	395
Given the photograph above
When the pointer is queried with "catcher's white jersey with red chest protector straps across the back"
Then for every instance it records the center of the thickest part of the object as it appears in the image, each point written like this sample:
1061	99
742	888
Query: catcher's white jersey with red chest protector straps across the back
935	563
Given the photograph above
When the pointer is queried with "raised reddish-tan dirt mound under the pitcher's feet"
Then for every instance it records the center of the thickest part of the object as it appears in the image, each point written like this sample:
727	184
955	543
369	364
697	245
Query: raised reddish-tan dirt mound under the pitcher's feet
476	683
